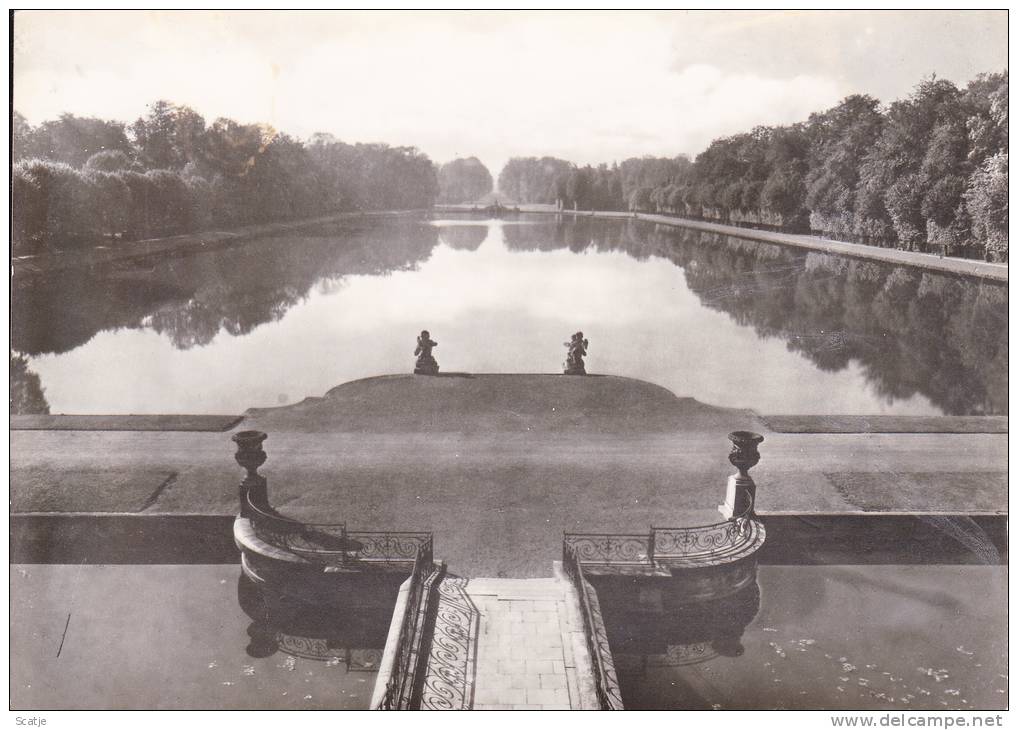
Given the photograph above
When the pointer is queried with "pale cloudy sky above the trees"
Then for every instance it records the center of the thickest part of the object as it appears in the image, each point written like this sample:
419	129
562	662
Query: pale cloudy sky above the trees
588	87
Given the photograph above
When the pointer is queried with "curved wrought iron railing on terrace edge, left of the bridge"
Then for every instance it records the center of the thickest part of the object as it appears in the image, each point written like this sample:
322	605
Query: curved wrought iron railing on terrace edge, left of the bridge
334	544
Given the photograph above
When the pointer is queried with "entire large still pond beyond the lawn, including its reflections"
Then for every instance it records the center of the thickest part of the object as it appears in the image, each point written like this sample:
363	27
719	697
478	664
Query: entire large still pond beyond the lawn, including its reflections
729	322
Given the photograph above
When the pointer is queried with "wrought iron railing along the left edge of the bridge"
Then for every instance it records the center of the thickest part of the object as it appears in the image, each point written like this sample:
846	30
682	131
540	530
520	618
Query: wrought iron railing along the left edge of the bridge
409	663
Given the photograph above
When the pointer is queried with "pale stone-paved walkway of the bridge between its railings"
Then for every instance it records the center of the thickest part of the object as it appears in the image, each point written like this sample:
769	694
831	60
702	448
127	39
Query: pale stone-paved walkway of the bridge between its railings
507	645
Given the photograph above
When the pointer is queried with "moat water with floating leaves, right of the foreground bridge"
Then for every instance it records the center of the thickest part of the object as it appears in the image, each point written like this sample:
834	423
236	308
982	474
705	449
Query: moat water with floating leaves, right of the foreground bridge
816	638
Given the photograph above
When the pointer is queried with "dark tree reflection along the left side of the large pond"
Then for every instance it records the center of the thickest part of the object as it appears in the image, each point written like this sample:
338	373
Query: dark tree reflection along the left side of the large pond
192	299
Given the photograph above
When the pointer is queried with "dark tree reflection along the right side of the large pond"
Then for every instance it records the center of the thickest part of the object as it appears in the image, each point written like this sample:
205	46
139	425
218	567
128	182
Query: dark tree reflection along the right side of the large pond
912	332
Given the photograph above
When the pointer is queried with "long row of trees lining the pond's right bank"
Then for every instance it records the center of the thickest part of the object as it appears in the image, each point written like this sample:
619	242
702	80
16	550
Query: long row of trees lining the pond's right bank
927	174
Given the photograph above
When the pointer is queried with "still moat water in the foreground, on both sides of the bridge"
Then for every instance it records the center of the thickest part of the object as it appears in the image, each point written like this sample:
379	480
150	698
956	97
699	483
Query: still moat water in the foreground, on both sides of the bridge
199	637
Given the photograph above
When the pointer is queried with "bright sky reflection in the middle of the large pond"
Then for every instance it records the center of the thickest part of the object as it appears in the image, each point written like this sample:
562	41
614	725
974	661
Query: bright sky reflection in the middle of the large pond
491	310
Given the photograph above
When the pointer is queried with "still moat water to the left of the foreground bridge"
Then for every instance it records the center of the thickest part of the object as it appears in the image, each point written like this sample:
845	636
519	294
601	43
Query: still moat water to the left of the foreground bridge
190	637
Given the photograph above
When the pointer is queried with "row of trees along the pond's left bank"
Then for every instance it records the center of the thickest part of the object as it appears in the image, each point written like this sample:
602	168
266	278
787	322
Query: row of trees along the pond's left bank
78	181
